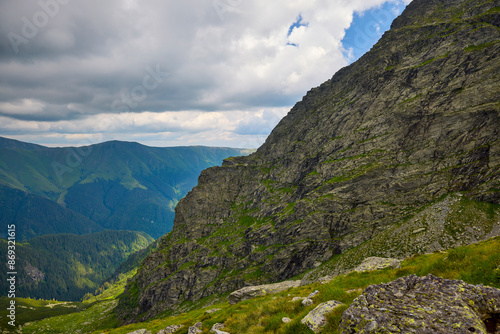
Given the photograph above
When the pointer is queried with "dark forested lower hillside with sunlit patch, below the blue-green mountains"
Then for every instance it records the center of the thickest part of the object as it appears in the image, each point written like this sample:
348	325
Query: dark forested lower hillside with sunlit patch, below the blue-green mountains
66	266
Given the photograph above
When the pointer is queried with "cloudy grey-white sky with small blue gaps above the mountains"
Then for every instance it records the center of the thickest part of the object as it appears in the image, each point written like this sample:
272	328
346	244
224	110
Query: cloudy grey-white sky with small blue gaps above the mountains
169	72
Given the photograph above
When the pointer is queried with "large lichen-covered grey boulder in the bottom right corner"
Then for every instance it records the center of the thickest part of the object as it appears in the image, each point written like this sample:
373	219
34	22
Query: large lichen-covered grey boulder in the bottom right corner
424	305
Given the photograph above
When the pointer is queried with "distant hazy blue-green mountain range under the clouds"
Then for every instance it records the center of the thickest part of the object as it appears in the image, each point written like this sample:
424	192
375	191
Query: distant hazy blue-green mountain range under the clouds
114	185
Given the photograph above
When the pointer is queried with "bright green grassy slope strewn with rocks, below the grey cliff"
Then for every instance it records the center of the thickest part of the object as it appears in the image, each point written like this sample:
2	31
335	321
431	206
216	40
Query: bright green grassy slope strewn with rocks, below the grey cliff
475	264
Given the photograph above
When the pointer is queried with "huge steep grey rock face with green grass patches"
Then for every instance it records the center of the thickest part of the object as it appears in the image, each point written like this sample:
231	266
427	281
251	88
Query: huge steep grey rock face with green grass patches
397	154
